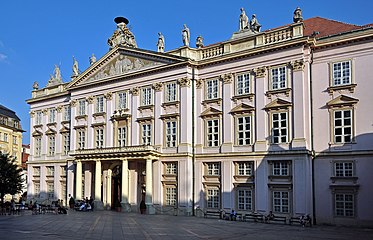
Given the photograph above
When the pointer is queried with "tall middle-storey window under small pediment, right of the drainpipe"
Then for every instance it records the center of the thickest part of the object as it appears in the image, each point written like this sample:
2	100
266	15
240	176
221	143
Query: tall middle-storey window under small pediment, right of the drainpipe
342	126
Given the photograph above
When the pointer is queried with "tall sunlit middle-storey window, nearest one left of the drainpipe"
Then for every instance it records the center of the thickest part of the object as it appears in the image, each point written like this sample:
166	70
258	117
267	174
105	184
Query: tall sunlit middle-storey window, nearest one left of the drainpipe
280	127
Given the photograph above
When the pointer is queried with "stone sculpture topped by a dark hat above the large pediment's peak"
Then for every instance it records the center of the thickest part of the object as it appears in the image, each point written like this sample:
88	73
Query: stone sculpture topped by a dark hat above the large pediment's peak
122	35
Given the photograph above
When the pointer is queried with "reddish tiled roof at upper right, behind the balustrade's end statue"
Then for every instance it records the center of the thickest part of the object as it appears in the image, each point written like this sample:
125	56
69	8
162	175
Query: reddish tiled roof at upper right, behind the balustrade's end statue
327	27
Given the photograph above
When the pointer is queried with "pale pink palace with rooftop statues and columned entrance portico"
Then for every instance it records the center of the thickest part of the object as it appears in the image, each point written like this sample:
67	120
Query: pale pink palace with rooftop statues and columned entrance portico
276	121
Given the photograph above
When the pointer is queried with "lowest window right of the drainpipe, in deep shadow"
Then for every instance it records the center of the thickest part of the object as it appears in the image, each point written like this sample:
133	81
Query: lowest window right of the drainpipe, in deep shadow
344	204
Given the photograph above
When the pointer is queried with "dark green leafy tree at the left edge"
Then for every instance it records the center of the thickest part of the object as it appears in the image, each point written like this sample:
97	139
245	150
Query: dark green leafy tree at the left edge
11	181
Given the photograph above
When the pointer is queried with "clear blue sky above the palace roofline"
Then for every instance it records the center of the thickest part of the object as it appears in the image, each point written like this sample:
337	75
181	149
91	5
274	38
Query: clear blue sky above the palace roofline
36	35
